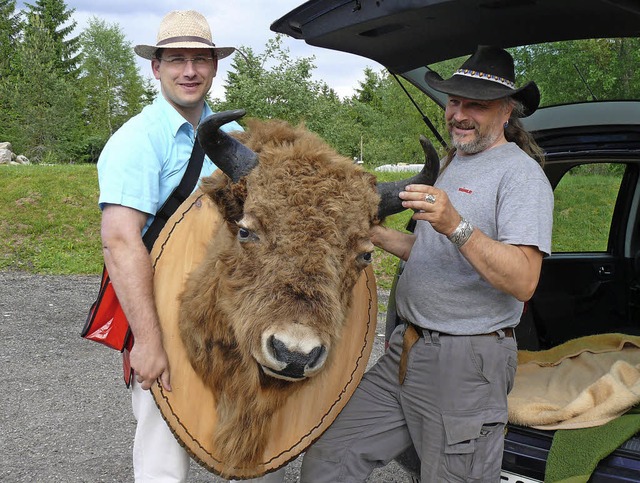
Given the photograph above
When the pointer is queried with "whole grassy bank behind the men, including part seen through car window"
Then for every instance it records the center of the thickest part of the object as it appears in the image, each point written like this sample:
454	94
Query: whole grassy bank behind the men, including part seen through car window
50	221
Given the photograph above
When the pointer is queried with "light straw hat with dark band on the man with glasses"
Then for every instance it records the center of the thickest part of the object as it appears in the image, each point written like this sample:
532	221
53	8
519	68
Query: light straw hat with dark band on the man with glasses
183	29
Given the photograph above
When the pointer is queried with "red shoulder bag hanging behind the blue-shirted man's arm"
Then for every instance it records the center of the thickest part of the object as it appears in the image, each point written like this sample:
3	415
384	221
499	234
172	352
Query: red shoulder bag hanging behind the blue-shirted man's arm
106	322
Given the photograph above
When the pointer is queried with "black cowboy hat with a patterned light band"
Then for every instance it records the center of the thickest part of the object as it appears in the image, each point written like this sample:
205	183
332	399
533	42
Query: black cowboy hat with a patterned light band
487	75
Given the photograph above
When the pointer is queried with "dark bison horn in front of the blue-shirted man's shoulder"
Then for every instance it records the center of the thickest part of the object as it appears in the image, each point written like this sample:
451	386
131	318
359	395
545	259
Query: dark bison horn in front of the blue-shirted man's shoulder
231	156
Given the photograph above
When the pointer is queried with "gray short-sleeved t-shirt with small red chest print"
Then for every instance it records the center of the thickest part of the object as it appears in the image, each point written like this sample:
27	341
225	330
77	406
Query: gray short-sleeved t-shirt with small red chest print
505	194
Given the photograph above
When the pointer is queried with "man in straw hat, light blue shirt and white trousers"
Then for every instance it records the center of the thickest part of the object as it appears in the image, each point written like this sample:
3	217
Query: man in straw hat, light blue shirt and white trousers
138	169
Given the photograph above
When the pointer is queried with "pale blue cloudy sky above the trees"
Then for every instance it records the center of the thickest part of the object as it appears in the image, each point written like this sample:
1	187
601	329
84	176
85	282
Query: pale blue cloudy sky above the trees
233	23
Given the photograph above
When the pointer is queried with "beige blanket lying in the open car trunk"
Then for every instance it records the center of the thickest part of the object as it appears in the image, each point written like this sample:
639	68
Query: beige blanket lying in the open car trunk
582	383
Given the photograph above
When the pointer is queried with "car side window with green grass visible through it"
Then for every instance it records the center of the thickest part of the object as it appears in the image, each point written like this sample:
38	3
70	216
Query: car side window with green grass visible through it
585	199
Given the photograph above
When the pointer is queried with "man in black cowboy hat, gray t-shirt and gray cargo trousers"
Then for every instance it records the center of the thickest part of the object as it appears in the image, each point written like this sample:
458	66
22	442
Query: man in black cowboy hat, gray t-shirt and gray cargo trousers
474	258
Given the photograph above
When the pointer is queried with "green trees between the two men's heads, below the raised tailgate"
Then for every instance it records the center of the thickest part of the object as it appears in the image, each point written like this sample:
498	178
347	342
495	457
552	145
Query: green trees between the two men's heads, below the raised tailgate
378	124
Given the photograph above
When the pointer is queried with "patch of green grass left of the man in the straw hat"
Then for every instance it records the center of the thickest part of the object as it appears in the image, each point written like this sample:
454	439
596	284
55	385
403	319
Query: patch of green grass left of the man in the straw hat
49	219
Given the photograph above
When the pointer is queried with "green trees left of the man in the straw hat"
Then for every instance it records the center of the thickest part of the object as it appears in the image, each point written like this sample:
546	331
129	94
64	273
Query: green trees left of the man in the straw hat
57	106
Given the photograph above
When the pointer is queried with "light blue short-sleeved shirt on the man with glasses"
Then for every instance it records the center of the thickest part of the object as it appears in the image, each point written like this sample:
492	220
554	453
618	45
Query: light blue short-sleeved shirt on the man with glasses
145	159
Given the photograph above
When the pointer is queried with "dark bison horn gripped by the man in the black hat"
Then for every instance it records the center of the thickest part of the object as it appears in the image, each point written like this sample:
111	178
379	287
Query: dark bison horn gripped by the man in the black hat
390	203
